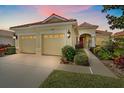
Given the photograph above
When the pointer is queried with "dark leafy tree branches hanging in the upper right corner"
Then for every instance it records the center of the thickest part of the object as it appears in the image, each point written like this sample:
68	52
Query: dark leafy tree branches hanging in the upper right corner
115	22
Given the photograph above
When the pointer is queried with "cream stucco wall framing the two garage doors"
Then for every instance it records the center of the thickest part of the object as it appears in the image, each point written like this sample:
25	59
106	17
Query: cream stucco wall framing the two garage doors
39	31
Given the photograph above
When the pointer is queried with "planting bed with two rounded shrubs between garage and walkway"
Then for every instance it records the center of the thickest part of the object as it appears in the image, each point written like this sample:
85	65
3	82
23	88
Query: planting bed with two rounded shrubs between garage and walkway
74	56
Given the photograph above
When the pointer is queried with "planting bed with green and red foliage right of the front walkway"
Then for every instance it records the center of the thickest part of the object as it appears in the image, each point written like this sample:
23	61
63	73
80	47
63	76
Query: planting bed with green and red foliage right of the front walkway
111	55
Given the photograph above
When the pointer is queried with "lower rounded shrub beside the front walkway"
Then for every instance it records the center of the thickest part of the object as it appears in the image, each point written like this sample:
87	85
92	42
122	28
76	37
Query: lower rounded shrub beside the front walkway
81	59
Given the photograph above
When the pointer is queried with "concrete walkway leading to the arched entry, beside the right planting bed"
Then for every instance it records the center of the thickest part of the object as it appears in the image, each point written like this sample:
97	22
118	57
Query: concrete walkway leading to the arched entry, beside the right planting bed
98	67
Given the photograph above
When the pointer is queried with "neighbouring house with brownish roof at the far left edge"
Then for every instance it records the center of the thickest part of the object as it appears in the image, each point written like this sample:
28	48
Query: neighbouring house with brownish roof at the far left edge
6	37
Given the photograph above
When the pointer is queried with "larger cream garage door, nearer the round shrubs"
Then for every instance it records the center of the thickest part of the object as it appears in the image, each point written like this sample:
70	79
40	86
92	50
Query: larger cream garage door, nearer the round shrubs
52	43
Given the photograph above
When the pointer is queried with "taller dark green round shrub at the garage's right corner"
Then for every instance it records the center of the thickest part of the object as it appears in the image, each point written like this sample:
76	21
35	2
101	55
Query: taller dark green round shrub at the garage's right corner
68	52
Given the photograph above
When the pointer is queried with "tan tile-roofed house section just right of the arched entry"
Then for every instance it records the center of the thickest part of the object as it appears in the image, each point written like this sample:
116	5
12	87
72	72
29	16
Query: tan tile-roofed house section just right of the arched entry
102	37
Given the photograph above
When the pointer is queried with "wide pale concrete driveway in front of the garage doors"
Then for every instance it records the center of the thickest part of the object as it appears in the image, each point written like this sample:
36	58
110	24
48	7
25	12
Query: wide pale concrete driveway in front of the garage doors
26	70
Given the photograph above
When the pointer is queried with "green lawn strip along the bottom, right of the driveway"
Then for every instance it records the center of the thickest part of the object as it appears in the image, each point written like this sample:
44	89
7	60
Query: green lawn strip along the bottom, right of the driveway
63	79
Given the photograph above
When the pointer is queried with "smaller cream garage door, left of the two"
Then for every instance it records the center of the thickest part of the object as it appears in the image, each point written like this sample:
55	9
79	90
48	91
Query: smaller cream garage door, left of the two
27	44
